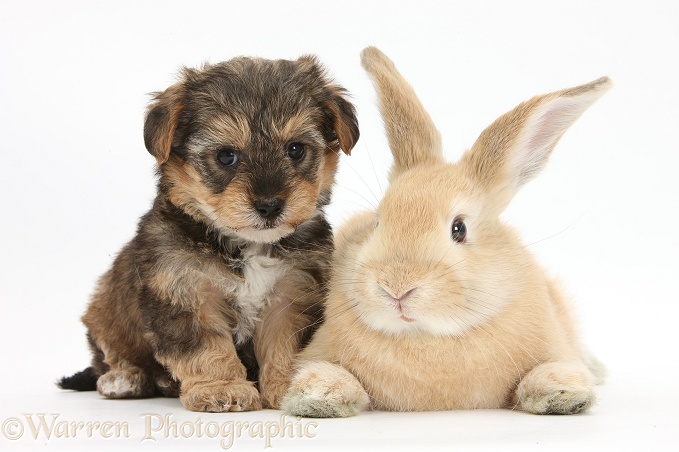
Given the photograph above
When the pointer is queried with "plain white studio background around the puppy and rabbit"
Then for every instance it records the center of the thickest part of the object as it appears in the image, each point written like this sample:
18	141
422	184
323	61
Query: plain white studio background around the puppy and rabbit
75	177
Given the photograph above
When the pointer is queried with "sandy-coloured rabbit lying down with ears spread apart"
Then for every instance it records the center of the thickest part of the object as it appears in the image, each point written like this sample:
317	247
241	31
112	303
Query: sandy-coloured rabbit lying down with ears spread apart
434	303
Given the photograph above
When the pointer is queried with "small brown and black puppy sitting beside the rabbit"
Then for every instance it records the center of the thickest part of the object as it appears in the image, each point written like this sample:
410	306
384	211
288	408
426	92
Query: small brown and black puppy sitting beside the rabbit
226	273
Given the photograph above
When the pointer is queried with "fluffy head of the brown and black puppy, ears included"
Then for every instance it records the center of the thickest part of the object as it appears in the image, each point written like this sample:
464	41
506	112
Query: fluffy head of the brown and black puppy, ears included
251	146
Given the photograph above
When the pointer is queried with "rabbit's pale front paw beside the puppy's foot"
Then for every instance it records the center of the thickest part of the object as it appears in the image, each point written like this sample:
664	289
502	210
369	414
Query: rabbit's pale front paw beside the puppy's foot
323	389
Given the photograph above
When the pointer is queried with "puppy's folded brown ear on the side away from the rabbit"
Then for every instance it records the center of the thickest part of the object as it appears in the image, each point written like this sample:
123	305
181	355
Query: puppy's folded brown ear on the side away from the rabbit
162	118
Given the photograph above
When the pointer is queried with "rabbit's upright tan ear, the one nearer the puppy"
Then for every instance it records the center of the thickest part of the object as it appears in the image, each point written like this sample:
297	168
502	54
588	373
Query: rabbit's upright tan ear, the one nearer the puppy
412	135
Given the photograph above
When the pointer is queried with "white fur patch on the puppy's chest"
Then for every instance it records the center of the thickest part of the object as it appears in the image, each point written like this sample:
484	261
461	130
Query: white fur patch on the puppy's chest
260	274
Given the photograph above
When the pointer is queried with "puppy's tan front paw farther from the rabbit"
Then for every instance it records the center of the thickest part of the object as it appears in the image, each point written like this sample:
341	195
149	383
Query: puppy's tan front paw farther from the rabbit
221	396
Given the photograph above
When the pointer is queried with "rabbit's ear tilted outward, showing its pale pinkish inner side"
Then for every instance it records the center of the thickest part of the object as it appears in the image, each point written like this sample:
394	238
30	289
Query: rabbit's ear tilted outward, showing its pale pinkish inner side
512	150
